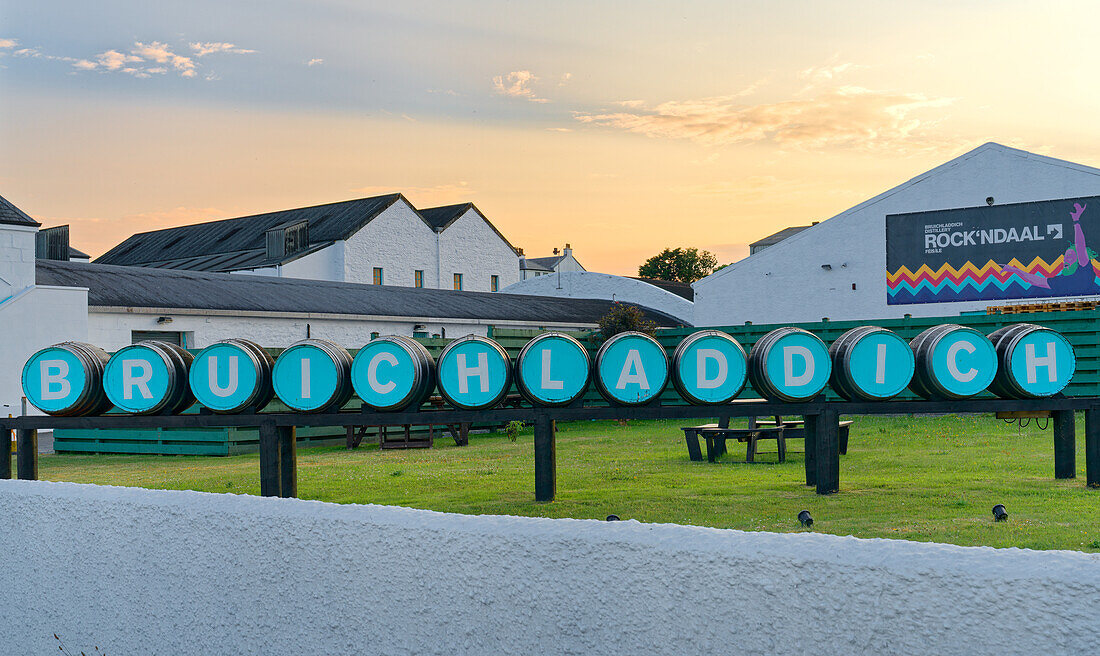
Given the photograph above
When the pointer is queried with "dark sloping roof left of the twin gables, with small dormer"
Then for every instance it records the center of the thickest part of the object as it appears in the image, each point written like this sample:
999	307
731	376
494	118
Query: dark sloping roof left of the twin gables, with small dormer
239	244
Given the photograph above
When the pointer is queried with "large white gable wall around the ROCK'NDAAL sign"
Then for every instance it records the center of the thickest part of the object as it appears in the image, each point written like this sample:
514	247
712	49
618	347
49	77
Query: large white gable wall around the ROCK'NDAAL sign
838	269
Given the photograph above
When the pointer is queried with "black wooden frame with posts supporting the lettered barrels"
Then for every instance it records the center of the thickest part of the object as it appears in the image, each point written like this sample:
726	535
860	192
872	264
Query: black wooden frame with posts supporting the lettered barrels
279	449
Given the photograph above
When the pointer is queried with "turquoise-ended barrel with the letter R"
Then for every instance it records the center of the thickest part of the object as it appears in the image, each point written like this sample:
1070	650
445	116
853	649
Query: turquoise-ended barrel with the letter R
150	378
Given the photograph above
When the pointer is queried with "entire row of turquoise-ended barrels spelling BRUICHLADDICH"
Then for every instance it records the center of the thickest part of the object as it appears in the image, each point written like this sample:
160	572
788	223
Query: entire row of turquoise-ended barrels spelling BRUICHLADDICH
393	374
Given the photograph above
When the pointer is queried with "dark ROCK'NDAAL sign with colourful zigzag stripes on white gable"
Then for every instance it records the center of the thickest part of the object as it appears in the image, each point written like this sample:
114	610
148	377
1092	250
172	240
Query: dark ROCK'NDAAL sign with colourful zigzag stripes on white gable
1027	250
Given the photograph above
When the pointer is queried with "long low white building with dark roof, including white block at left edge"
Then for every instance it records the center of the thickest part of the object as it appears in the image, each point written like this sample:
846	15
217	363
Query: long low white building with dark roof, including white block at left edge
46	302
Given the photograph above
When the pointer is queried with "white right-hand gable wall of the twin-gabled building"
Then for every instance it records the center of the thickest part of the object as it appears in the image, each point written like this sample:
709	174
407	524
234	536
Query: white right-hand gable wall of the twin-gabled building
472	248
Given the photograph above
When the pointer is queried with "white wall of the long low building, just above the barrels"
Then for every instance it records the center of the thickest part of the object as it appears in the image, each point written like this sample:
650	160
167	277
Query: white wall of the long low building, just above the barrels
112	329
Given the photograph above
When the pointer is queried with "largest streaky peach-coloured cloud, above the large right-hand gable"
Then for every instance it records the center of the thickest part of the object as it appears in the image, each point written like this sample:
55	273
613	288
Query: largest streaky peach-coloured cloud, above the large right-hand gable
851	117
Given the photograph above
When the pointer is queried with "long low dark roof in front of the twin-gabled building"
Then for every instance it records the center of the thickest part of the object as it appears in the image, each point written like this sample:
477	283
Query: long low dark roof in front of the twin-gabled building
137	287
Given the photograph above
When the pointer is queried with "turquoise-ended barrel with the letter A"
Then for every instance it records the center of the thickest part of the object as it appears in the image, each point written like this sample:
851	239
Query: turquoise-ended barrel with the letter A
632	369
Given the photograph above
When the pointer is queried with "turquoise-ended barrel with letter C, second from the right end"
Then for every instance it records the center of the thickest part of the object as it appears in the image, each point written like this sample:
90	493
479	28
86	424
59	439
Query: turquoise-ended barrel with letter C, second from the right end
952	363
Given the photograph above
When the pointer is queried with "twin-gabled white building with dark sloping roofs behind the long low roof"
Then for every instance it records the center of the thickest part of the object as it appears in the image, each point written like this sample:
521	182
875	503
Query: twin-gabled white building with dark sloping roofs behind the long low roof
382	240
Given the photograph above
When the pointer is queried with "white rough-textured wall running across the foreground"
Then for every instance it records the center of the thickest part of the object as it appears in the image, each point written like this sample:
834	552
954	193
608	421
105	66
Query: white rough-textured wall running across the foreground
140	572
